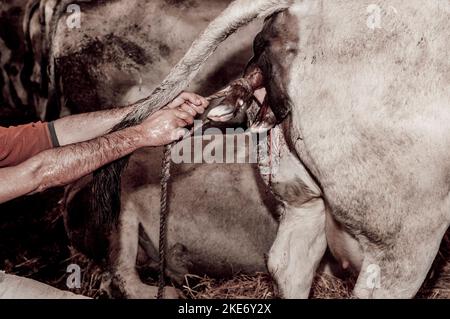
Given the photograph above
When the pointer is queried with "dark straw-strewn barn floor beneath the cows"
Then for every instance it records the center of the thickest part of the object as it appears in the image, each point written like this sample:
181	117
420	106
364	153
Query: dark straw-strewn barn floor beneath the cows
33	244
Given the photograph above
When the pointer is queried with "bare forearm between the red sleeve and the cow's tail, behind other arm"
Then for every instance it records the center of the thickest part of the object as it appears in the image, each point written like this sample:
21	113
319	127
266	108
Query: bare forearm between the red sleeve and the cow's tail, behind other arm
84	127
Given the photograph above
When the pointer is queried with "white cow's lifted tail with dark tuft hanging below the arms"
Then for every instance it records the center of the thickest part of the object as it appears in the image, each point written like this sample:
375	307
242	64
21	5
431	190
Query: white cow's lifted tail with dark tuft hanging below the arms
106	184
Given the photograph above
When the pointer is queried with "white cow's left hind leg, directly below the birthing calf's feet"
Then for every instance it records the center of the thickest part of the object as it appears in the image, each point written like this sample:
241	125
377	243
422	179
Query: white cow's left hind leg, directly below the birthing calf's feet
301	241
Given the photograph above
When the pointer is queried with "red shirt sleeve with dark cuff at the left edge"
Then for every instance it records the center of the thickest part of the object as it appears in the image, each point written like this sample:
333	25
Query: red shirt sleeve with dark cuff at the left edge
19	143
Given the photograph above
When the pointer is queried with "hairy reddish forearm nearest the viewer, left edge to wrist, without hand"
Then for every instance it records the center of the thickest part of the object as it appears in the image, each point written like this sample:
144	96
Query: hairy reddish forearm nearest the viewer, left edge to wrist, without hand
61	166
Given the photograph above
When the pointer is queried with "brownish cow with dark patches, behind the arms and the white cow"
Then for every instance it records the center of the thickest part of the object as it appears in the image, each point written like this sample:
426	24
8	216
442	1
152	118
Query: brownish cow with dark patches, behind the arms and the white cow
111	61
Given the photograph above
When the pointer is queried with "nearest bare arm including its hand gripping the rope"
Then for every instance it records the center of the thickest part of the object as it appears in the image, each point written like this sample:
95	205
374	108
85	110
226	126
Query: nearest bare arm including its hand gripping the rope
61	166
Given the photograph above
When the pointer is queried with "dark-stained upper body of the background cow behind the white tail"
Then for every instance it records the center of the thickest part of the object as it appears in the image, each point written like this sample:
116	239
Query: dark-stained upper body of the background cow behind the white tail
124	49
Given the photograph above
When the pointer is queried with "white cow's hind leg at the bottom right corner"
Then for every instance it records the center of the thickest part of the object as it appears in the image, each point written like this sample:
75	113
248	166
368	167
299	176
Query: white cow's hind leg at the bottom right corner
398	271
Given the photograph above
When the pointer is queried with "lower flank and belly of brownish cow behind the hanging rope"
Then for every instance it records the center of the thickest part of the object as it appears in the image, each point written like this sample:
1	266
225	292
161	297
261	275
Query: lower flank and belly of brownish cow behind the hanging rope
218	213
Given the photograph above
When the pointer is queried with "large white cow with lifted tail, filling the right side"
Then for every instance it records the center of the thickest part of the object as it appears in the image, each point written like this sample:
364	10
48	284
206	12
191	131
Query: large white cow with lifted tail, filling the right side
368	134
